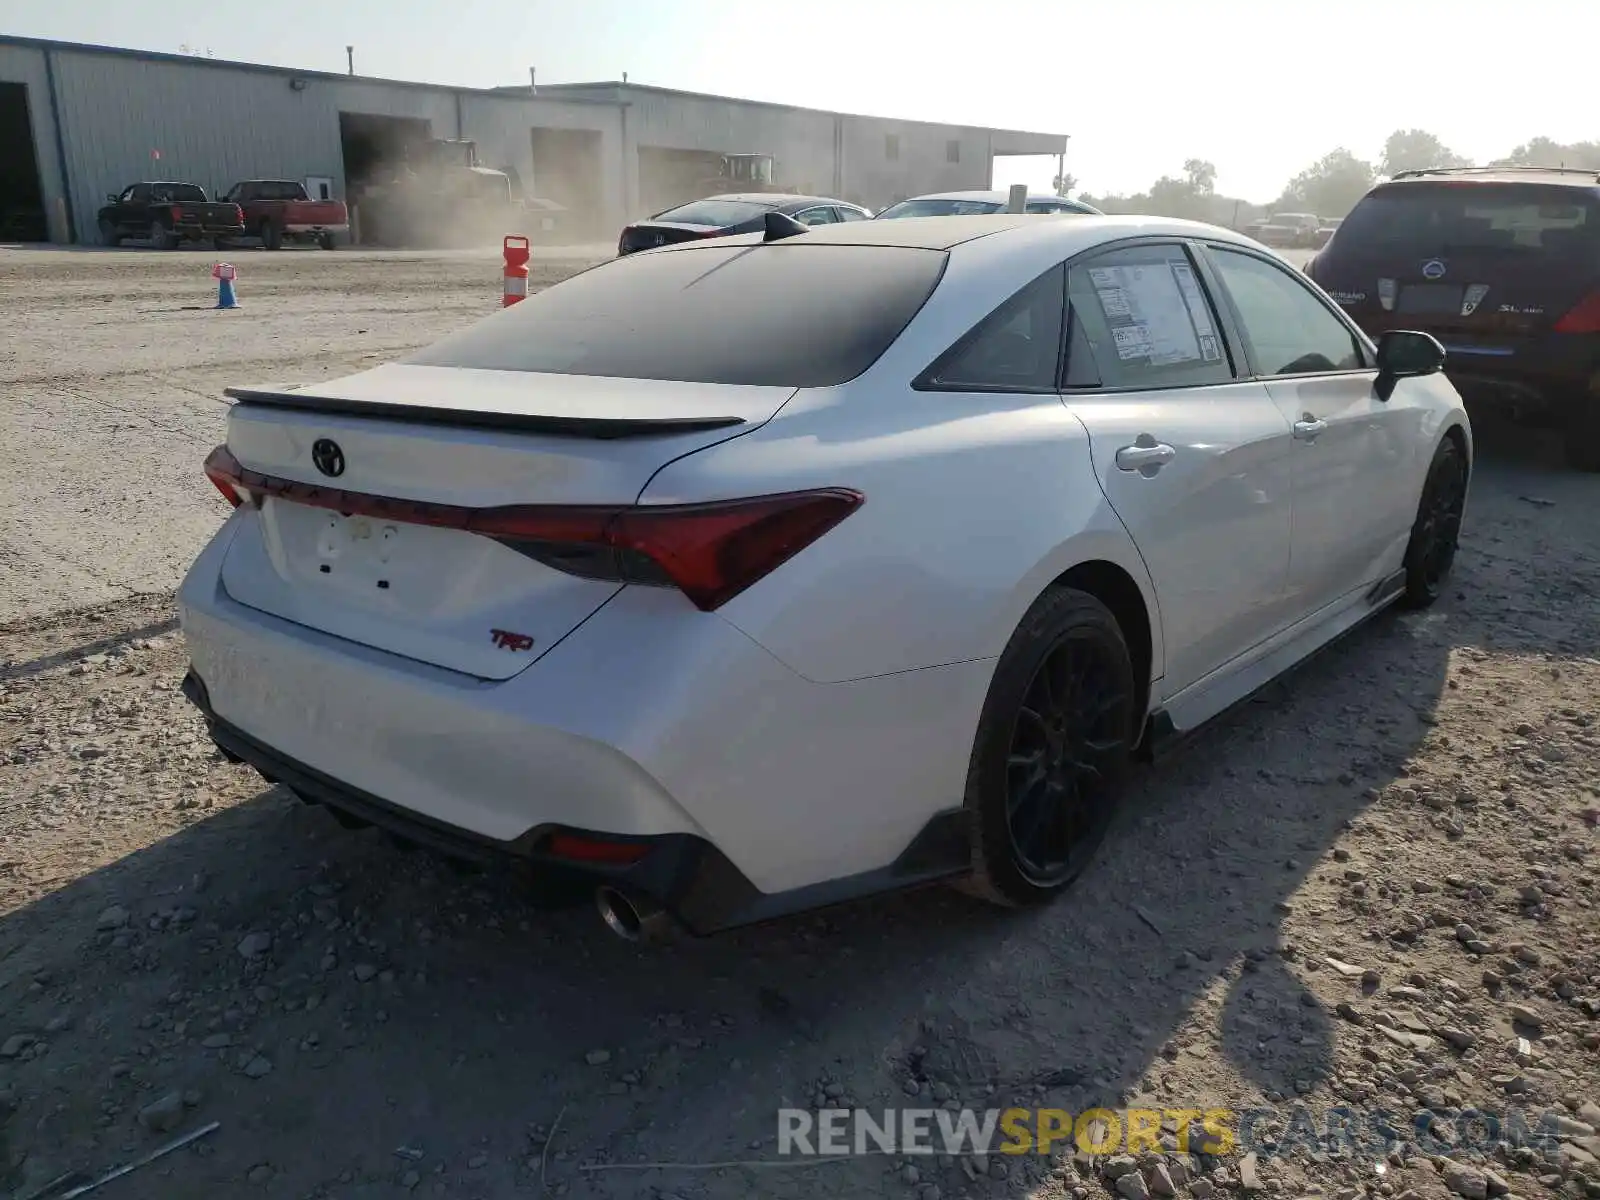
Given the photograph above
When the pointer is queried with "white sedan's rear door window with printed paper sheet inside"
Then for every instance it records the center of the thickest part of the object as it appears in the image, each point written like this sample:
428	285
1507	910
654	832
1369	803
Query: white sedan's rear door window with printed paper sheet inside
1145	318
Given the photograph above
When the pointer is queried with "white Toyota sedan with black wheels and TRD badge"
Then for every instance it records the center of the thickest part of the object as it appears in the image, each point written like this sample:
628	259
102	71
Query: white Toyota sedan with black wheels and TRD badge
762	574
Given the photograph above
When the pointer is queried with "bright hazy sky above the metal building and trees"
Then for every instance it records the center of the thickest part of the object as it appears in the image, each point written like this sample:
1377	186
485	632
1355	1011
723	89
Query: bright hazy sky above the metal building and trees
1258	87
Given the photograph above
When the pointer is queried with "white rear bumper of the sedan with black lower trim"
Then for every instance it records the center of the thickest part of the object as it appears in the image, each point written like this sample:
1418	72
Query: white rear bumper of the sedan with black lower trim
650	722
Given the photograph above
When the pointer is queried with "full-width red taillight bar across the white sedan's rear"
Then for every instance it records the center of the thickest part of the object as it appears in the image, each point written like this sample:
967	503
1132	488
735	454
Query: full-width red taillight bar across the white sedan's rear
711	553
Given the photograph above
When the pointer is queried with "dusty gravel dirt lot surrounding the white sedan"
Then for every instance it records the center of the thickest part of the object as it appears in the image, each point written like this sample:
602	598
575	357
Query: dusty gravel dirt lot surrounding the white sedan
1342	895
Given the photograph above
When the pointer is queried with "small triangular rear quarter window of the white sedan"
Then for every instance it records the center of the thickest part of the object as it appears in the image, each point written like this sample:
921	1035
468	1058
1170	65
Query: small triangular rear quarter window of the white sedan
1014	350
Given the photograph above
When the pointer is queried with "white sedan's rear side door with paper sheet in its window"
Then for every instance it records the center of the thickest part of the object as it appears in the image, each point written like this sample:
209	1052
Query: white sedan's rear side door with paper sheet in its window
1193	455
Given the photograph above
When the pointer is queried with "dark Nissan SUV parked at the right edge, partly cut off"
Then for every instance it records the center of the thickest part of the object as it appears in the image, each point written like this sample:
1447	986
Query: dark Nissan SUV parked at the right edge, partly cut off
1503	266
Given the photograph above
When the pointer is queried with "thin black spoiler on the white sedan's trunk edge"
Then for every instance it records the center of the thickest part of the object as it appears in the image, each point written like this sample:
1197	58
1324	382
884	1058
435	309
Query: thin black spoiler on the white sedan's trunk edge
471	418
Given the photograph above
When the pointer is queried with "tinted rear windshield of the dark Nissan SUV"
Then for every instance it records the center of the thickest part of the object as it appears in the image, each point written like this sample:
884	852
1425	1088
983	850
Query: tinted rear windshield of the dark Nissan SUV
1438	218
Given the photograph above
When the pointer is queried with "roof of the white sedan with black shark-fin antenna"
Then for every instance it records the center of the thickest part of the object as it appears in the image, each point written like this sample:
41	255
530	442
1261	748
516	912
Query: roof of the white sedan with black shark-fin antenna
946	233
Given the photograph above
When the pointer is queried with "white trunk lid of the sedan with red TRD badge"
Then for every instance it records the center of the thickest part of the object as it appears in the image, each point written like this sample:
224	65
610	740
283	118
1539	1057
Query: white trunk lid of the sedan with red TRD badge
454	438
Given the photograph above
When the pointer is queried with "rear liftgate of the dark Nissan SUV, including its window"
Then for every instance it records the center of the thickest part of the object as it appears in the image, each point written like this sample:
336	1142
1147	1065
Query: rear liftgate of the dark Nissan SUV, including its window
1487	268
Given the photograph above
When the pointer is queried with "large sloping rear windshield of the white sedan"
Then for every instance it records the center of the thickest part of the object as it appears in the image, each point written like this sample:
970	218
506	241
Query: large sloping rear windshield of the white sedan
785	314
